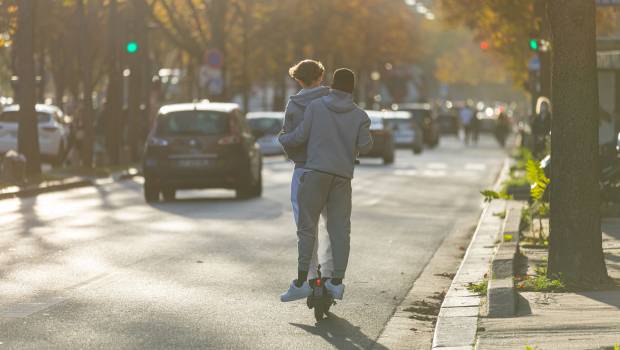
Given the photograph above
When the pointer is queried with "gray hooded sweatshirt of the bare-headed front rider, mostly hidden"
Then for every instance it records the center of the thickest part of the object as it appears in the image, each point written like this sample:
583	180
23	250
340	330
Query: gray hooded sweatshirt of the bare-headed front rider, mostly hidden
294	115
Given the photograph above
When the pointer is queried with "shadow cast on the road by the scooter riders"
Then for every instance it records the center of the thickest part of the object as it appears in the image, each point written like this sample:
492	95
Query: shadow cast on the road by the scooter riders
341	334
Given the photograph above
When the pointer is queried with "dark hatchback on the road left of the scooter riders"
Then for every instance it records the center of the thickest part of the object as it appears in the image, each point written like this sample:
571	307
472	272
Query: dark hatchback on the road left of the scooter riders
201	145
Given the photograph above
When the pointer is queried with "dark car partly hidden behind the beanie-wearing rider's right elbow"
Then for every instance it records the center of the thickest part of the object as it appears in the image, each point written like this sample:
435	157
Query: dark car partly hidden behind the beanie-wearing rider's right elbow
383	137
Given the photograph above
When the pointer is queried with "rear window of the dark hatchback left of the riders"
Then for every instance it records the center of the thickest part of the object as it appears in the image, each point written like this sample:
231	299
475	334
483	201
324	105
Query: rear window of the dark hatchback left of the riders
195	123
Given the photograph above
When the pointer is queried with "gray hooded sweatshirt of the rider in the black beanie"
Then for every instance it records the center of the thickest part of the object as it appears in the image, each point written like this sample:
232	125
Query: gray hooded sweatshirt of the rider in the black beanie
335	130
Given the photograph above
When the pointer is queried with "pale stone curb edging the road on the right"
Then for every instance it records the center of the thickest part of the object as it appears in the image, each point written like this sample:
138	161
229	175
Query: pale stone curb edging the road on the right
457	323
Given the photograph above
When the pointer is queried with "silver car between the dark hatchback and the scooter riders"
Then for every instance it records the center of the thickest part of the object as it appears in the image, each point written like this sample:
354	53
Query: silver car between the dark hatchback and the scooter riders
265	127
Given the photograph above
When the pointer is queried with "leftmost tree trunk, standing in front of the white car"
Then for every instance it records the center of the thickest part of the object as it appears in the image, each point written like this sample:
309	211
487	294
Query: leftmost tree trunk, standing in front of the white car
28	133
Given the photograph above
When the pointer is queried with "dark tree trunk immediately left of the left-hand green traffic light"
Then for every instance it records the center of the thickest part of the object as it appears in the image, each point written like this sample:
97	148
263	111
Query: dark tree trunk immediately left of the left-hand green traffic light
114	96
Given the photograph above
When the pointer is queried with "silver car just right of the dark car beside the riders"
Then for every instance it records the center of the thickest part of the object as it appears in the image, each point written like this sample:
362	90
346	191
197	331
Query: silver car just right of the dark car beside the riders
407	133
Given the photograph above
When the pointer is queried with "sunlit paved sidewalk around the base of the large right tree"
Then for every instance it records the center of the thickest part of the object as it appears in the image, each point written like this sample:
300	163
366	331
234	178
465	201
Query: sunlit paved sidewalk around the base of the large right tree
588	320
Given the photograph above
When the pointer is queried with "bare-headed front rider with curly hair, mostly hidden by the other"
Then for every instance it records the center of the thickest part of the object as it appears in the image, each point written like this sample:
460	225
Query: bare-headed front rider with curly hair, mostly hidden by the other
309	75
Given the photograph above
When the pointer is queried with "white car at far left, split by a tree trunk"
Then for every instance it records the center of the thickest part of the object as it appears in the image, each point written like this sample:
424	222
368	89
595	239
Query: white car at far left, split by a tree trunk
53	131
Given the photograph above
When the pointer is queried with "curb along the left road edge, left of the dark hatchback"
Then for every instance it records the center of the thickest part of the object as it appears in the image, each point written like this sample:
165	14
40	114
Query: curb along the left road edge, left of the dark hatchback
63	185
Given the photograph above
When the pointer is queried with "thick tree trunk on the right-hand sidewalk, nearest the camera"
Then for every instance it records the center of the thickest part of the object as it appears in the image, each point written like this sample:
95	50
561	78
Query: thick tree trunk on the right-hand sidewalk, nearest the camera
575	250
